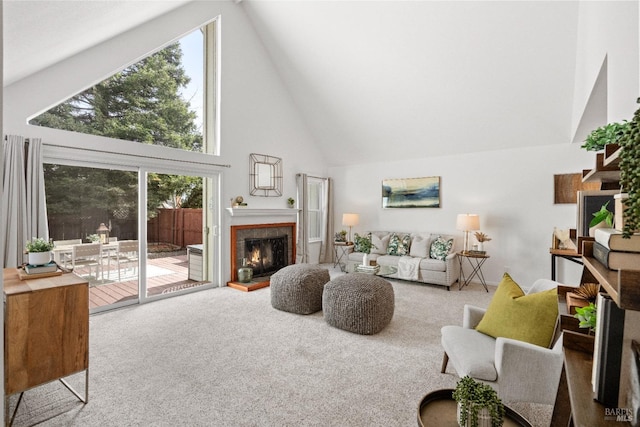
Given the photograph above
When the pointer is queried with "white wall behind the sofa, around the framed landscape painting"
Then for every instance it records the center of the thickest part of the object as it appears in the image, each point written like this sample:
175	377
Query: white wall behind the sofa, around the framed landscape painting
511	190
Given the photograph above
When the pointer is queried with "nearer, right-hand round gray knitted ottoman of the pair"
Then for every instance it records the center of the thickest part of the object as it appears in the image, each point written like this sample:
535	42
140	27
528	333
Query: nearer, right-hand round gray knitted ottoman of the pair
358	302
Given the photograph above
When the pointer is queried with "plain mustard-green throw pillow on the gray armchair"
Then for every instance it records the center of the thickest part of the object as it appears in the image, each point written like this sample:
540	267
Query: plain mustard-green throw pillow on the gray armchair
512	314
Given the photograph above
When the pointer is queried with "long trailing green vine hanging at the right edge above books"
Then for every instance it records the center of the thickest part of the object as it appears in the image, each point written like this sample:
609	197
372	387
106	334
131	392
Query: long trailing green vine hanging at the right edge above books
630	174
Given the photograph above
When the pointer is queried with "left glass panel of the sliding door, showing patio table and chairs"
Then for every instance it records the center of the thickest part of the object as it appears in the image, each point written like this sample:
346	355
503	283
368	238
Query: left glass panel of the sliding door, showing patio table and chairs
92	214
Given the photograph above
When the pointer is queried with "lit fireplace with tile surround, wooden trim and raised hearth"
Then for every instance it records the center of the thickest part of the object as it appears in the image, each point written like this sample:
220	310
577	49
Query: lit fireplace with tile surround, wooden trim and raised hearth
268	248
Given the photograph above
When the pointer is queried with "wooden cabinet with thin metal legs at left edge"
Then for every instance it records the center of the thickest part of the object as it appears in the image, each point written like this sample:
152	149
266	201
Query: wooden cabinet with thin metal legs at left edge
46	332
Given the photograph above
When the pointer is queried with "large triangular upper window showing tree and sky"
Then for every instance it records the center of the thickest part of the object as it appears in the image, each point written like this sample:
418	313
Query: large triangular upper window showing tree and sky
159	100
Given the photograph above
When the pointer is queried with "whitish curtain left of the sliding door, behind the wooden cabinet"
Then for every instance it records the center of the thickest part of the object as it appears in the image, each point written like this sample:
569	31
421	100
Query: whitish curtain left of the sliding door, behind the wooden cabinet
24	213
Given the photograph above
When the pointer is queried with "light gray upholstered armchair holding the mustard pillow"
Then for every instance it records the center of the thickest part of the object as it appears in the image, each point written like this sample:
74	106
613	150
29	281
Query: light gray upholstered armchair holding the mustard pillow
519	371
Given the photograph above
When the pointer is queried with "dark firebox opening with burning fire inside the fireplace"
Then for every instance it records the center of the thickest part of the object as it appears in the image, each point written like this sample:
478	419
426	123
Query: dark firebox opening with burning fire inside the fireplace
266	255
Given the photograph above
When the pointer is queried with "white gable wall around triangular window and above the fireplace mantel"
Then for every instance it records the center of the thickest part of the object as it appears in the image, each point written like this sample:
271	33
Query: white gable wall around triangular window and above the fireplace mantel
257	115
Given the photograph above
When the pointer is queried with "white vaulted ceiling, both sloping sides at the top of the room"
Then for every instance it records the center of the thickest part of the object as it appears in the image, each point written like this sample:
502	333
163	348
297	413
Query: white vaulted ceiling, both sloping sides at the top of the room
372	80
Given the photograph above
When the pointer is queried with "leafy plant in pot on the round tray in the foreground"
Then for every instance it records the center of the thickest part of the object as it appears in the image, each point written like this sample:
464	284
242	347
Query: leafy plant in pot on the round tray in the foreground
478	404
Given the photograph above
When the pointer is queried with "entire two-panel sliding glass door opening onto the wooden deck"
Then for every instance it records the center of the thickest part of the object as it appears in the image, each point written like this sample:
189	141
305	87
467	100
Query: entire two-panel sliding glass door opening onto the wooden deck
134	235
